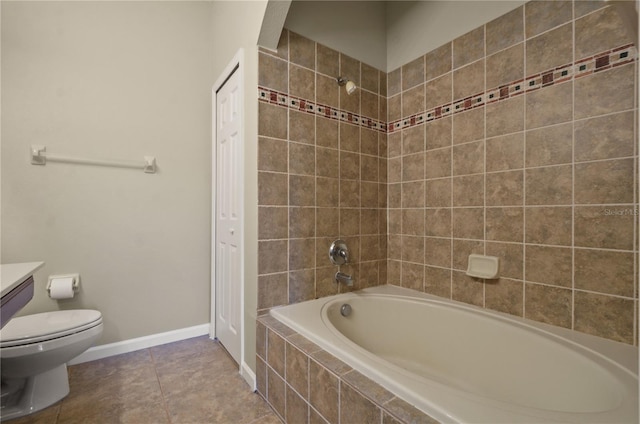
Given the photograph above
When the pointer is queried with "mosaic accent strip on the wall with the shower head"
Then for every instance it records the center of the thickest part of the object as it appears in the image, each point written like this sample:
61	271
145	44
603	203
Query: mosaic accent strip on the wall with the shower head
295	103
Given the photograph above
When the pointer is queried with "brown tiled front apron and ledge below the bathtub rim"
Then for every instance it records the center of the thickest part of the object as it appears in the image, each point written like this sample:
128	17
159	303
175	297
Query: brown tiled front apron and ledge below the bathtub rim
305	384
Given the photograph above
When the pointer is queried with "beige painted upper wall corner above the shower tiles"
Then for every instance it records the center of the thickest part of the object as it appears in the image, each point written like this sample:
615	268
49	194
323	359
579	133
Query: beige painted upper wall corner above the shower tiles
388	34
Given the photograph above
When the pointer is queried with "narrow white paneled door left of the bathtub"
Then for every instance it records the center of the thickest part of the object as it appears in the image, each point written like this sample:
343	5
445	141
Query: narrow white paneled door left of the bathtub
228	216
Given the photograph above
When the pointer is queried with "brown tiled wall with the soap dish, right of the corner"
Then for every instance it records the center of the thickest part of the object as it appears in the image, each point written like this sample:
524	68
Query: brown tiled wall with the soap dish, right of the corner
543	174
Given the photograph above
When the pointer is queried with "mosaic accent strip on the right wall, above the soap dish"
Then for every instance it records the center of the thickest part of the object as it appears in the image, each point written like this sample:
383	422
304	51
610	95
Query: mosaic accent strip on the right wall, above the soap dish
583	67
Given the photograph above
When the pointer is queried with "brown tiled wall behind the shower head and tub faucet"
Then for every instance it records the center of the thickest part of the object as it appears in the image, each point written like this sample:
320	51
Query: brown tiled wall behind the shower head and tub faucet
322	171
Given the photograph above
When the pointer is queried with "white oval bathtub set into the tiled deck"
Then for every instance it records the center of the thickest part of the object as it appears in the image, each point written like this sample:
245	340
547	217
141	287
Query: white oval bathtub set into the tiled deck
459	363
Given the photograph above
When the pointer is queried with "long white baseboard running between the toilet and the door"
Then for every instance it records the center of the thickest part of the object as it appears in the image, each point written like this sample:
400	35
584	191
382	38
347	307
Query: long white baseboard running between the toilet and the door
125	346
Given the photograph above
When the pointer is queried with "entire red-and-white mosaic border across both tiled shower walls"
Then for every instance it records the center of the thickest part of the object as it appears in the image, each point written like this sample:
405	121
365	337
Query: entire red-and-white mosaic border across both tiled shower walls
583	67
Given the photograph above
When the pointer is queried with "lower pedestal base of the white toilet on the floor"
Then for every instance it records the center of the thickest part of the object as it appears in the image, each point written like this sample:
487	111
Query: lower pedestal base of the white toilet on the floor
24	397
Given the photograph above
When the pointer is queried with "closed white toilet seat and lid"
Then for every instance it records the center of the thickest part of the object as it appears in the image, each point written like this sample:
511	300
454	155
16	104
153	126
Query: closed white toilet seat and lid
38	328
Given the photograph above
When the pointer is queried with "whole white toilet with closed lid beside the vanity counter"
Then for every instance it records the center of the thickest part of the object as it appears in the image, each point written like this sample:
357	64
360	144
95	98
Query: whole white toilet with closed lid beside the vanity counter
34	351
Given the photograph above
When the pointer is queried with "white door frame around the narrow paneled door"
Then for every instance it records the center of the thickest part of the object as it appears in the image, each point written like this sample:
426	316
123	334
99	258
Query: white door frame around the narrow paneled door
235	65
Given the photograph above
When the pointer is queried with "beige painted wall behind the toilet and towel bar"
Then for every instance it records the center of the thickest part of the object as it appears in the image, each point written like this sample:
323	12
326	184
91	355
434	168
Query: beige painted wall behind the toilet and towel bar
111	80
